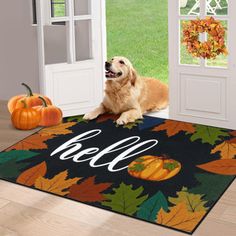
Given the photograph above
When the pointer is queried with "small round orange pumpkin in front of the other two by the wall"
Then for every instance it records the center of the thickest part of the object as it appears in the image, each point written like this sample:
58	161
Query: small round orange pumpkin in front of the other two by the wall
25	118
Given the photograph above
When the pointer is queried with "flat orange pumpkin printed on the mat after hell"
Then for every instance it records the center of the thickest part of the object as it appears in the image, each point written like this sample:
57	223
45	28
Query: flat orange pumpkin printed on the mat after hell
154	168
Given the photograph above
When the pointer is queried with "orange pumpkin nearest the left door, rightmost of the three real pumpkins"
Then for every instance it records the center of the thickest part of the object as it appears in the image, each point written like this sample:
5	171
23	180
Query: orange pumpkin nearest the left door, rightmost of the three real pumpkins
50	115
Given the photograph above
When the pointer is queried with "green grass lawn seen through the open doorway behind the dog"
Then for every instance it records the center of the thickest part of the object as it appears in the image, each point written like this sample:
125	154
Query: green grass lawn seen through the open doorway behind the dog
138	30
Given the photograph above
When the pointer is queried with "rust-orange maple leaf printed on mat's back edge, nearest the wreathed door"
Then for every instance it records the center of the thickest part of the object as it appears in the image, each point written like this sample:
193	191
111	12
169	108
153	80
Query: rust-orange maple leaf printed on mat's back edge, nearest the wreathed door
174	127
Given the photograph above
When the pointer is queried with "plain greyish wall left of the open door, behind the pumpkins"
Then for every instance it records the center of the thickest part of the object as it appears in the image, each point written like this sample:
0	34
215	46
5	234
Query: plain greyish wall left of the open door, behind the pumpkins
18	48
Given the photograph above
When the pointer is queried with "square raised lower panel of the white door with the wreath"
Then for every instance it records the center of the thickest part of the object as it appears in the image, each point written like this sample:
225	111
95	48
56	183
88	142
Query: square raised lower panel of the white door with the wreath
211	89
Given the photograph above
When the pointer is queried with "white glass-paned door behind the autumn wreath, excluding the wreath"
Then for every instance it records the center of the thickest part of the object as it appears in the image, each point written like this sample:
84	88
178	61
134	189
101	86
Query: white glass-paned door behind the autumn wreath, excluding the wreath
202	91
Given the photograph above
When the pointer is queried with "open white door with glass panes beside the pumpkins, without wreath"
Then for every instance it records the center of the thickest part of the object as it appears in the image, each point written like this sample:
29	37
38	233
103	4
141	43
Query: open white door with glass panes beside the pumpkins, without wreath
72	53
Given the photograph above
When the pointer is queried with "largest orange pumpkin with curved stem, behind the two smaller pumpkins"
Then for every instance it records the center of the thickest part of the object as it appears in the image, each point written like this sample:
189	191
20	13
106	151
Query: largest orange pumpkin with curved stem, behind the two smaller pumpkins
30	98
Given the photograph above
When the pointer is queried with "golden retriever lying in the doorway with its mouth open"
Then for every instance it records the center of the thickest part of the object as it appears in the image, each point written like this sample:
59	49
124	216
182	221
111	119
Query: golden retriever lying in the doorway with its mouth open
129	94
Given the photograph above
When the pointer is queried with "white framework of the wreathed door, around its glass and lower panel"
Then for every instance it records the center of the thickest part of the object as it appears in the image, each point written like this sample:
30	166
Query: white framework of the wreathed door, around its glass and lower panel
176	112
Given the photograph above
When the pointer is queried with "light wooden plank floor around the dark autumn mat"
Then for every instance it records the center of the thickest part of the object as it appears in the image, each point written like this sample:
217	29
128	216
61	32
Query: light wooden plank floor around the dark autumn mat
28	212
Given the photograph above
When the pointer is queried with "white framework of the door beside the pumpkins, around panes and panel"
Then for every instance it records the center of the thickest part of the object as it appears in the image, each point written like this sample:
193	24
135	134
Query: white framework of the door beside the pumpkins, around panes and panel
98	46
